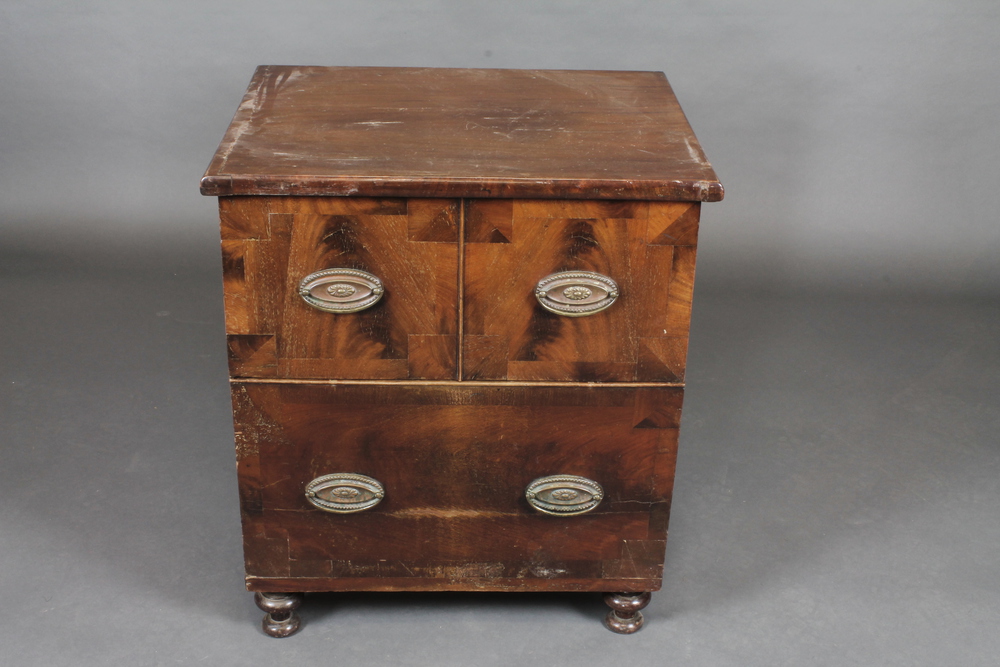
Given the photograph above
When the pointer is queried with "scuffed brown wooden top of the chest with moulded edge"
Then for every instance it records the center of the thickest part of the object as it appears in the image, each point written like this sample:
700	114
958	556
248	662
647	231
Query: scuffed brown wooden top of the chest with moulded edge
411	132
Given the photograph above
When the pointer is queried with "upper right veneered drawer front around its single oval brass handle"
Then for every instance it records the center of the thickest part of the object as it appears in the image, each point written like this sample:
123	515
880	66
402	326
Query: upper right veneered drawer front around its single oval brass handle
647	248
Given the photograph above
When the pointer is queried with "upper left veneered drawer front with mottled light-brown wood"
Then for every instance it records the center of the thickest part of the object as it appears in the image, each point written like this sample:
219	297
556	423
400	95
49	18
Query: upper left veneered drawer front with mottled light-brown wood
270	244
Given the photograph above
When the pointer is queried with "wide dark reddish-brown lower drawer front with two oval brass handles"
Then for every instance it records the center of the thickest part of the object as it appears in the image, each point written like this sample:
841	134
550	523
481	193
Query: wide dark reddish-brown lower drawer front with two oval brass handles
444	487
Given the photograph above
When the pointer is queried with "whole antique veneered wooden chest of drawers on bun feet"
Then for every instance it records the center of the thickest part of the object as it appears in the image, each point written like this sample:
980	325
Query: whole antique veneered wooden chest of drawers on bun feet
457	309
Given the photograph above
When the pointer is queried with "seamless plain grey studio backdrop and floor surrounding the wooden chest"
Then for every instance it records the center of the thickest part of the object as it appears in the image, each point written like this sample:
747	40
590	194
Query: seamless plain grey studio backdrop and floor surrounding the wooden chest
837	500
